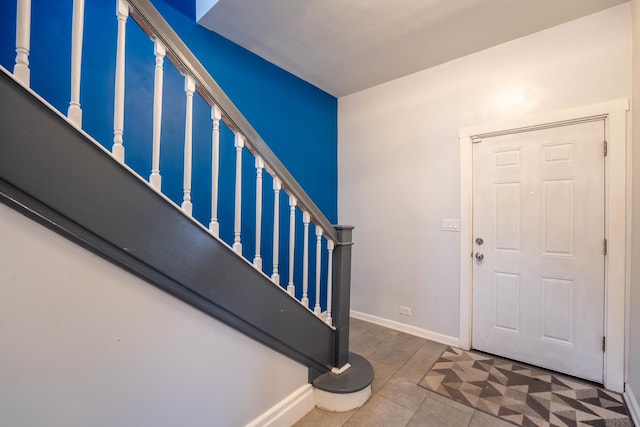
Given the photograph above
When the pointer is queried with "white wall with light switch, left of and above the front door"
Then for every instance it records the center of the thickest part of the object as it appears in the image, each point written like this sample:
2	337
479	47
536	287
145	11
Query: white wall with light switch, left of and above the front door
398	154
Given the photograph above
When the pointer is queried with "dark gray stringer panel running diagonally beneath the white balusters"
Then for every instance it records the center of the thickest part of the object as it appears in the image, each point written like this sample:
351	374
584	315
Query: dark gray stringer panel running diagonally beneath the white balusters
58	176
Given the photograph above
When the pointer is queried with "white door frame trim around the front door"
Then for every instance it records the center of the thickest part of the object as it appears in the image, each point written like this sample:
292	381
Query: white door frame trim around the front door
617	211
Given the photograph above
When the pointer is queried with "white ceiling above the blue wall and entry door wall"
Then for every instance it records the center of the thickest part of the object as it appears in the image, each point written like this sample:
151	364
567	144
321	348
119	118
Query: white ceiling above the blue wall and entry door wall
343	46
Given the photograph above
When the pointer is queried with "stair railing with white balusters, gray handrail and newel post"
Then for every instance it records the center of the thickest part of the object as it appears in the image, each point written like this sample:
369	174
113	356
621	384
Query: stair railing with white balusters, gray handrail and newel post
167	44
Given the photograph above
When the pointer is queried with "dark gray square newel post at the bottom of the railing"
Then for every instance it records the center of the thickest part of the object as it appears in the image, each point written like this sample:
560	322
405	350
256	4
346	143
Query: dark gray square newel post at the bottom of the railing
341	293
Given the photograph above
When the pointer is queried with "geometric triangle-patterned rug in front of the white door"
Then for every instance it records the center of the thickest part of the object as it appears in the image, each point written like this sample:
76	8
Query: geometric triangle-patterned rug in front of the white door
521	394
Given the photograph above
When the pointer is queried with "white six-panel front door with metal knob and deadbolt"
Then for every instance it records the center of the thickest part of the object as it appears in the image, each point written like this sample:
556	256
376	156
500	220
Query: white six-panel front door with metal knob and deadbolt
538	247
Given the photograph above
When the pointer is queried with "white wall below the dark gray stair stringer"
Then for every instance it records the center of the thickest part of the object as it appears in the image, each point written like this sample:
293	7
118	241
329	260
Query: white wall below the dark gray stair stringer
83	343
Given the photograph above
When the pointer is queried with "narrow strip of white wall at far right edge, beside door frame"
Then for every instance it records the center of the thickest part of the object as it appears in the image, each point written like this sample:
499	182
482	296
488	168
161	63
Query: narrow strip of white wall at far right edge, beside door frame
634	324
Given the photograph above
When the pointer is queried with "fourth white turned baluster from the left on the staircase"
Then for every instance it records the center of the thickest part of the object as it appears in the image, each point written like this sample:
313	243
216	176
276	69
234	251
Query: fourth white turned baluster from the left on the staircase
159	51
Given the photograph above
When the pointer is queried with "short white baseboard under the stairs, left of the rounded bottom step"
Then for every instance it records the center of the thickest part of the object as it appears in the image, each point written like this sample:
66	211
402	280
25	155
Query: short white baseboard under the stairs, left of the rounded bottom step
289	410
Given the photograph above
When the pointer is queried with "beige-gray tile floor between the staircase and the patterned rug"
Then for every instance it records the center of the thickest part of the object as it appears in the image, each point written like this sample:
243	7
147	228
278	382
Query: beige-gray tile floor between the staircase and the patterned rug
400	362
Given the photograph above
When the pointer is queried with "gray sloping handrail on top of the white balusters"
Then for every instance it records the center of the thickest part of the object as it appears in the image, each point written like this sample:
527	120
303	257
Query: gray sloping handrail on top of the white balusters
153	24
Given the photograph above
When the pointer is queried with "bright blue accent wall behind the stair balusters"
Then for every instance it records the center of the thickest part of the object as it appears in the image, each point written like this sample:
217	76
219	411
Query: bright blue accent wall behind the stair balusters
297	120
